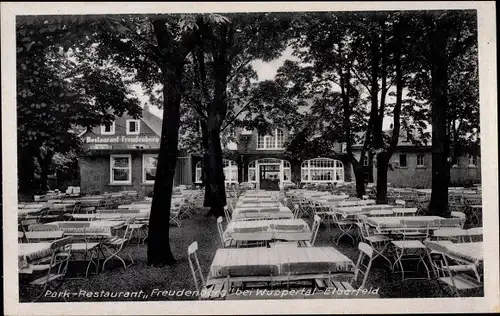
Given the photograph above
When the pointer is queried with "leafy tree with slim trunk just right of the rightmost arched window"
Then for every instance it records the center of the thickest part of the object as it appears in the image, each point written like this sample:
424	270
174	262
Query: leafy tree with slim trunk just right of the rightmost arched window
330	50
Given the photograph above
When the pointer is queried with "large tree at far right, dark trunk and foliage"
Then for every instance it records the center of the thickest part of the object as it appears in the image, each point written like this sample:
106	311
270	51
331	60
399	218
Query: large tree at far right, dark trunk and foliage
444	37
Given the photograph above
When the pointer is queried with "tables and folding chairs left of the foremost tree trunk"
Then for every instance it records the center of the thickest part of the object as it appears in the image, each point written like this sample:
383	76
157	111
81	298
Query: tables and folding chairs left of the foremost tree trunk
98	230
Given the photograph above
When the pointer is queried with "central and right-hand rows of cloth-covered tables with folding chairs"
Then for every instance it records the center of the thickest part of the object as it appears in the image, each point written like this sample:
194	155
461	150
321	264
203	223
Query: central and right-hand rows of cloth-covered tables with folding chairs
267	242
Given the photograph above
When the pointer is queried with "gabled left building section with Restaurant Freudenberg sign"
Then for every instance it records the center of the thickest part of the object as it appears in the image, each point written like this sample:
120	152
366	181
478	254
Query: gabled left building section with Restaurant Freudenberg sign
123	156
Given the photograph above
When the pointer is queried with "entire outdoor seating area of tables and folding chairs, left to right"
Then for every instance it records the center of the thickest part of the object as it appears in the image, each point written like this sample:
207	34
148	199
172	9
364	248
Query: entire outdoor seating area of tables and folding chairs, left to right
289	241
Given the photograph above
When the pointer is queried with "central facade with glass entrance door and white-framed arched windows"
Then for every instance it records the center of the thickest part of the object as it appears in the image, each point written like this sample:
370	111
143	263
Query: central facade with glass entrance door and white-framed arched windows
259	160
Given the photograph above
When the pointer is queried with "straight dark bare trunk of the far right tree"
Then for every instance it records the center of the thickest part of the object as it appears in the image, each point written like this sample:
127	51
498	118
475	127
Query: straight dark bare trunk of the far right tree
440	143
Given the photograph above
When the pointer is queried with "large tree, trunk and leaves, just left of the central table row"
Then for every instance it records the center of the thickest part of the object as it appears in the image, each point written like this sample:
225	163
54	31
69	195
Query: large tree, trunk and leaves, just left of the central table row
222	74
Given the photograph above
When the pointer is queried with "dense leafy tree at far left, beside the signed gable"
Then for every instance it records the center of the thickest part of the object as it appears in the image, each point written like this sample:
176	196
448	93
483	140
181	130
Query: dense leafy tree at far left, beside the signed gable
56	91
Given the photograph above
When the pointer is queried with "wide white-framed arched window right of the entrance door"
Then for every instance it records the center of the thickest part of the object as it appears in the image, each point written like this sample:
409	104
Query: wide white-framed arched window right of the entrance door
322	170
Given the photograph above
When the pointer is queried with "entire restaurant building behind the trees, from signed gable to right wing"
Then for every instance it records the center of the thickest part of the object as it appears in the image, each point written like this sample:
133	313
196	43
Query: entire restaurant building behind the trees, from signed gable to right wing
123	157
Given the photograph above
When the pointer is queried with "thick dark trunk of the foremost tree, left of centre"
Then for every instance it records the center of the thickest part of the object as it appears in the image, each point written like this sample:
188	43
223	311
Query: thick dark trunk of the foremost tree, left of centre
172	66
